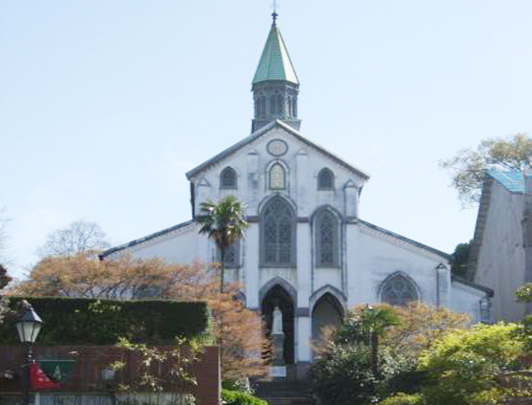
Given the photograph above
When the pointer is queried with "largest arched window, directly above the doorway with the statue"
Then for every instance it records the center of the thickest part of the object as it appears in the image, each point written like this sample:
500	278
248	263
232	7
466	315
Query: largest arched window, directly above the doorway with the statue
277	233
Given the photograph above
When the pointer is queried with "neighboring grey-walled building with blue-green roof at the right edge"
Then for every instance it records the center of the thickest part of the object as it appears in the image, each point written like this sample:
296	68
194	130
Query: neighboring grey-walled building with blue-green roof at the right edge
499	251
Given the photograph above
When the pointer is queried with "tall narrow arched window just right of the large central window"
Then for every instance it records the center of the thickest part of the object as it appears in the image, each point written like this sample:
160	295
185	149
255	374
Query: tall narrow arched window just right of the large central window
327	246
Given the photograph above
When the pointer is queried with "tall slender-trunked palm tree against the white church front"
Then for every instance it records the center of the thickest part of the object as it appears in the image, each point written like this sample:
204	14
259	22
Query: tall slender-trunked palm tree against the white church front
224	223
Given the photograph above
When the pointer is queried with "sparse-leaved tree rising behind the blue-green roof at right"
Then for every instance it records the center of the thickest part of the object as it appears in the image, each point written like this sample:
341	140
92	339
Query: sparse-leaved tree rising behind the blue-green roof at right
468	167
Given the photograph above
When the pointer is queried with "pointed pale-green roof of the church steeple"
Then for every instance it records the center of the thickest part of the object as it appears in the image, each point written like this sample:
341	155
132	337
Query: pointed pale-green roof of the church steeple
275	63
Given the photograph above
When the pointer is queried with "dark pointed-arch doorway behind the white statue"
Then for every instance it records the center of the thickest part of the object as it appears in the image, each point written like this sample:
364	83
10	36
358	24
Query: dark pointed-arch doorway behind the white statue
278	297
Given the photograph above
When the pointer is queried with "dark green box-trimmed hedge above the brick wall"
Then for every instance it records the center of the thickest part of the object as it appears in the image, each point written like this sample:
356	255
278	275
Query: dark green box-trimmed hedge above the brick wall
76	321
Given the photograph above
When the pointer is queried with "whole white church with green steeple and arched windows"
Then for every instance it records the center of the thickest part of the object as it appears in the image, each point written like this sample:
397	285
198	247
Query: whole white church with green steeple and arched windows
306	250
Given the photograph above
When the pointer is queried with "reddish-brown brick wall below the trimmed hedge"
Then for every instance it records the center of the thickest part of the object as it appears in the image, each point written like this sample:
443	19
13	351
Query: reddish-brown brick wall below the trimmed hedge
90	361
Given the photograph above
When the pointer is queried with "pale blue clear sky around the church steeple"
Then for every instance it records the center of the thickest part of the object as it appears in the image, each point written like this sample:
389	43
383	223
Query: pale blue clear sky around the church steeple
104	105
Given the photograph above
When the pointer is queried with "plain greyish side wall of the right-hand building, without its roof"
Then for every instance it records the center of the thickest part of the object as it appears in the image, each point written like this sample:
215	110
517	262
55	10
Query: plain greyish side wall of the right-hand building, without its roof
501	261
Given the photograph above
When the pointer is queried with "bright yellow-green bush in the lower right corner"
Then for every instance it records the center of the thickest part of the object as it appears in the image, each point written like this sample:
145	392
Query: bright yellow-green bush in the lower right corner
468	366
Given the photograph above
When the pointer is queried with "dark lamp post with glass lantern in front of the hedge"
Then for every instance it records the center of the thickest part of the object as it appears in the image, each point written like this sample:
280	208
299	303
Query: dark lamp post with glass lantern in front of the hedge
28	328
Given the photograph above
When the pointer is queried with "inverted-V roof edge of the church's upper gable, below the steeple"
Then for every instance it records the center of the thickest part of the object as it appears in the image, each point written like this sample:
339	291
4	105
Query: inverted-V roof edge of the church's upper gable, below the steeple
257	134
